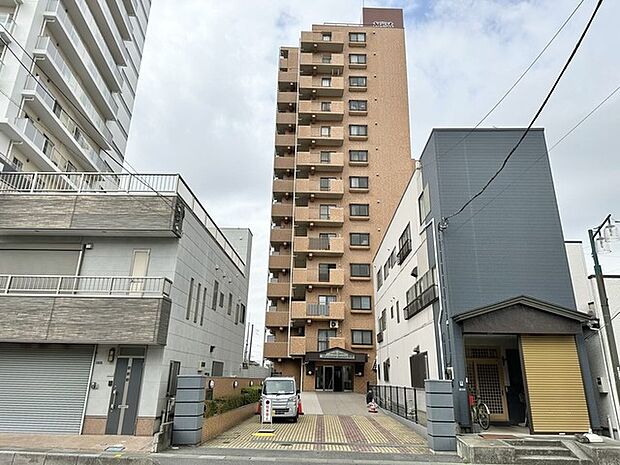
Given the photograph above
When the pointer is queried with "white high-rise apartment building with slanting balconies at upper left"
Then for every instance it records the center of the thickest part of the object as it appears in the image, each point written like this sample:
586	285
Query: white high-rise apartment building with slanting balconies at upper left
68	81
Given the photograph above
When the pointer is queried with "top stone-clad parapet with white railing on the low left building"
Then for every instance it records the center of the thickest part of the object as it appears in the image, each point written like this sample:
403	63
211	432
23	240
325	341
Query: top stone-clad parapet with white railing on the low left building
103	204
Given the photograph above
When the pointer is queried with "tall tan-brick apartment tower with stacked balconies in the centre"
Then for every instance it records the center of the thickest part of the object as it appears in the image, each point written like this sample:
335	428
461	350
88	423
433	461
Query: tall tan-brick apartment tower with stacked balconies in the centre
342	159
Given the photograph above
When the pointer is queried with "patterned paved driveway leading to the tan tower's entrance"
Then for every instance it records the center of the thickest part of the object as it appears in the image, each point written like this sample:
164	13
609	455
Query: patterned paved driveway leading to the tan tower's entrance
332	422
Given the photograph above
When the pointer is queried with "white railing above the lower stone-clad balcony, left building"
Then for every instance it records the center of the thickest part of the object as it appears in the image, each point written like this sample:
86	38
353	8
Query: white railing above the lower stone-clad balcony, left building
114	286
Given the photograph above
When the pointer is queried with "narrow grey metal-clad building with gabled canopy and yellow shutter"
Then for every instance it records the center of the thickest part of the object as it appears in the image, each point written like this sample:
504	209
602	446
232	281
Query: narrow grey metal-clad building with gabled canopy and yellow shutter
507	313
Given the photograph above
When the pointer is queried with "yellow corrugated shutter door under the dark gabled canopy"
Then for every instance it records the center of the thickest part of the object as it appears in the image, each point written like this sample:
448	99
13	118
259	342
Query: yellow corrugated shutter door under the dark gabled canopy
556	397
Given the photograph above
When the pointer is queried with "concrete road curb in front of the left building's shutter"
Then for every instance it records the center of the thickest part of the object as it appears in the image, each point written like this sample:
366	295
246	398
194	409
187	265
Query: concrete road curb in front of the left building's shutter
70	458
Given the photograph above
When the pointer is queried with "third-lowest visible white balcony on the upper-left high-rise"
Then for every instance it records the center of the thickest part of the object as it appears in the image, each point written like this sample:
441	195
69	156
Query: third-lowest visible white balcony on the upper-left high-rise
54	65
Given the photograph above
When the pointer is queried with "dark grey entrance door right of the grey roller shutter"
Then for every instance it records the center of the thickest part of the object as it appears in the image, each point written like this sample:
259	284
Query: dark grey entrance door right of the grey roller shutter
123	407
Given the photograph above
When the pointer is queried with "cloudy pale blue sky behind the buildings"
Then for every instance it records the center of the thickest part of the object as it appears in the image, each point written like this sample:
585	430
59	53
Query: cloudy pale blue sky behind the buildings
205	104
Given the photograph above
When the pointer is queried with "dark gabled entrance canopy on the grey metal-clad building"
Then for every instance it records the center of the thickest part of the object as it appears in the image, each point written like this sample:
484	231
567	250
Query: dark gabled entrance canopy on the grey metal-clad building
522	315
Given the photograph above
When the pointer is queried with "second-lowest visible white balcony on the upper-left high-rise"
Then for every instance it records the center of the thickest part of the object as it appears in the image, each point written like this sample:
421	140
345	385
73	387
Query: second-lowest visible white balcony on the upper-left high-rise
38	97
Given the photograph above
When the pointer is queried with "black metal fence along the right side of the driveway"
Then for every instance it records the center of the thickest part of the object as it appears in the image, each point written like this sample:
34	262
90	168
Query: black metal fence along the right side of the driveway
406	402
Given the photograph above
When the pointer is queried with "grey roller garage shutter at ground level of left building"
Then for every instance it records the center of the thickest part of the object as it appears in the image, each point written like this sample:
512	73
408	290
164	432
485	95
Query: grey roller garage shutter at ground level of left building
43	387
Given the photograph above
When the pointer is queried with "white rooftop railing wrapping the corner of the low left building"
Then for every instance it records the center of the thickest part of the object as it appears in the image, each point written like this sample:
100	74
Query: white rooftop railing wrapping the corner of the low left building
118	184
